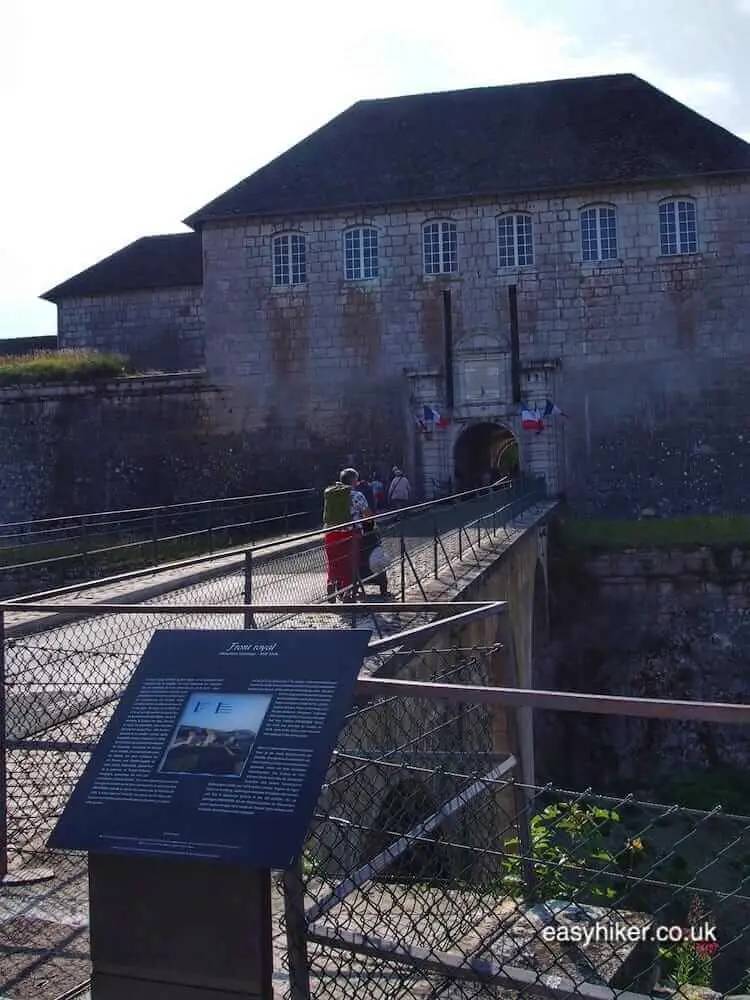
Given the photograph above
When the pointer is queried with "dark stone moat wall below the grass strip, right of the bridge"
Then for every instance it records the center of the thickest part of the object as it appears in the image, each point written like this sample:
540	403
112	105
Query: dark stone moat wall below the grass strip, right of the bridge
648	623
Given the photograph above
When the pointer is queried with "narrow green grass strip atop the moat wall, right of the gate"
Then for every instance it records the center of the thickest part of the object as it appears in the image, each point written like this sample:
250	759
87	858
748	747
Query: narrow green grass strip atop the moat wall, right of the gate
667	532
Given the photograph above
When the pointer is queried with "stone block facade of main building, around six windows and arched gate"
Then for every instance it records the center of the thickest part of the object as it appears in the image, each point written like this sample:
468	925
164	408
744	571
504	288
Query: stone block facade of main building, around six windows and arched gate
646	353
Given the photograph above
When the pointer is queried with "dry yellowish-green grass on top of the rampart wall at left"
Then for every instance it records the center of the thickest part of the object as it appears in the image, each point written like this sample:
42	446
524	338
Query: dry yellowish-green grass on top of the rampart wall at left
74	365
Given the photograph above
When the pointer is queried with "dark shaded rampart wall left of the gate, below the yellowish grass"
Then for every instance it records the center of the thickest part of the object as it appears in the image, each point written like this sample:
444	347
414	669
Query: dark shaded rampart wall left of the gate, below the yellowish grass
131	442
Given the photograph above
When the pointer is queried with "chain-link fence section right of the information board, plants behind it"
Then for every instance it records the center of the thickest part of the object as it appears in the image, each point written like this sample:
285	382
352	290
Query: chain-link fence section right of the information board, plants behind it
432	871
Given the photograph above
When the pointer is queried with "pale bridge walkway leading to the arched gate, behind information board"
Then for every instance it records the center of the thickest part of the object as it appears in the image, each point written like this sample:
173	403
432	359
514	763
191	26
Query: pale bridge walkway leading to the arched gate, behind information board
67	662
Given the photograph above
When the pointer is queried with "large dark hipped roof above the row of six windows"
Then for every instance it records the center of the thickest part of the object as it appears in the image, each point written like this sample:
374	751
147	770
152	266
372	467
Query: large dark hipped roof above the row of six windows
492	141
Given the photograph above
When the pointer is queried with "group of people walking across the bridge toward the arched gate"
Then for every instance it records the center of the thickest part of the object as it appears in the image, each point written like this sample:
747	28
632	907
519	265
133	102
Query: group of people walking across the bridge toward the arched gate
353	547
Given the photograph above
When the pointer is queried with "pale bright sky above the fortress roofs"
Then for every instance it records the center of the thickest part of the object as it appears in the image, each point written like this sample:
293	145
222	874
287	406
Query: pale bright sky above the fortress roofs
120	119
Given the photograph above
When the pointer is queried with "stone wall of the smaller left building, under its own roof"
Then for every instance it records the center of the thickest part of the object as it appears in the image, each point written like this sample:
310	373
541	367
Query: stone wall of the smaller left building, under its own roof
160	330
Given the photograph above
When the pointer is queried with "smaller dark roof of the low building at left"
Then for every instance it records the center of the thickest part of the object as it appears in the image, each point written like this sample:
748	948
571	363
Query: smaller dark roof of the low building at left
152	262
